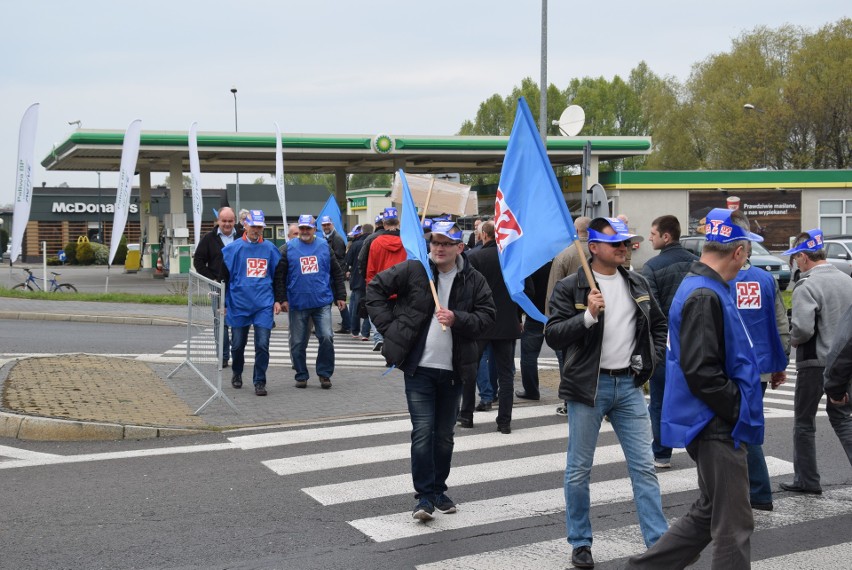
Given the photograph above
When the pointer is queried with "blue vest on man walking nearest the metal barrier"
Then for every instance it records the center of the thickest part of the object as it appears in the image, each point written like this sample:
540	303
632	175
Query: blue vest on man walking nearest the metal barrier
250	297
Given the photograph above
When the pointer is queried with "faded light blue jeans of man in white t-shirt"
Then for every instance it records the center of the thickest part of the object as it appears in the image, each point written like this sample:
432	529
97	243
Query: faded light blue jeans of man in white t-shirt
624	403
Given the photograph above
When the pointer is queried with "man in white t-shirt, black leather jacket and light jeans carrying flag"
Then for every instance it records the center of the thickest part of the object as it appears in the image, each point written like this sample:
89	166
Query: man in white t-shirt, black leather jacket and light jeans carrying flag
609	355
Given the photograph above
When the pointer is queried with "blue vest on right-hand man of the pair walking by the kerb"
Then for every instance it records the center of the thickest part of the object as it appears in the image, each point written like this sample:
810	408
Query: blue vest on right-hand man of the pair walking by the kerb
308	274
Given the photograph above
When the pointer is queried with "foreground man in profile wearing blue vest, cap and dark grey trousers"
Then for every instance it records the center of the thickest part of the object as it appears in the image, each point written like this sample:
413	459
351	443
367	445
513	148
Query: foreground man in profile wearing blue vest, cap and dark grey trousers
712	403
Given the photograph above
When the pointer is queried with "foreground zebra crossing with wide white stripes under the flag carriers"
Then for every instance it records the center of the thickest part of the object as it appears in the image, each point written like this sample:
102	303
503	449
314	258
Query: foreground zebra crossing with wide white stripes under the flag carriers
361	473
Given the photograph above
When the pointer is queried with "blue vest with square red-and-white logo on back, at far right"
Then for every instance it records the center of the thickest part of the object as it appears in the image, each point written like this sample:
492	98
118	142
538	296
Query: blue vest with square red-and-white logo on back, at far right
753	291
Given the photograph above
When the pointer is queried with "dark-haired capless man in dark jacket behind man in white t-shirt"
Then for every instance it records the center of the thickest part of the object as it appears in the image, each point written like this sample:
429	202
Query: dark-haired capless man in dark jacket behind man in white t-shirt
664	274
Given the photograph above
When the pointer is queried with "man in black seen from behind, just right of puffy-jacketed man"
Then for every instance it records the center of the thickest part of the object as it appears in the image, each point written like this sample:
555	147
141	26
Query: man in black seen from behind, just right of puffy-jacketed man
501	336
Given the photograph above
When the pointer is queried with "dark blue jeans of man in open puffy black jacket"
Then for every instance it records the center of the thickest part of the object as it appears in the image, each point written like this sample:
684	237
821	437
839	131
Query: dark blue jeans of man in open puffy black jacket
433	404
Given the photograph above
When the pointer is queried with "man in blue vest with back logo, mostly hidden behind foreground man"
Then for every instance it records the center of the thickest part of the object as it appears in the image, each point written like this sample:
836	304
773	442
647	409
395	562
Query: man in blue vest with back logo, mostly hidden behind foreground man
759	302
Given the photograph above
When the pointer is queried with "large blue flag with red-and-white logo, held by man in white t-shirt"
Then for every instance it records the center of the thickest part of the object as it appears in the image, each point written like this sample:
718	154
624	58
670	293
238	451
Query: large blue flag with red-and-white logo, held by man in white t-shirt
531	221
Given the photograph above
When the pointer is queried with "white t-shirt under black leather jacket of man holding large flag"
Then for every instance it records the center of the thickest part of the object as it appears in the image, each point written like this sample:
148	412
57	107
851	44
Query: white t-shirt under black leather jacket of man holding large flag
619	338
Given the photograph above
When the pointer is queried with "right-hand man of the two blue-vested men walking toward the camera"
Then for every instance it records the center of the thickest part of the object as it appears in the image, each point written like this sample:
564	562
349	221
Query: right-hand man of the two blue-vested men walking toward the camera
307	282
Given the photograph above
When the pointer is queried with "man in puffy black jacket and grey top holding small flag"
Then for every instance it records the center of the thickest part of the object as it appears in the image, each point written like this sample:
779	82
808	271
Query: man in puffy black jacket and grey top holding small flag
436	349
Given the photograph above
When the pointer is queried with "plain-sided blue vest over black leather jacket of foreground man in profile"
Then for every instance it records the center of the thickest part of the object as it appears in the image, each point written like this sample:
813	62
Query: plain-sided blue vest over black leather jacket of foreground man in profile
684	415
